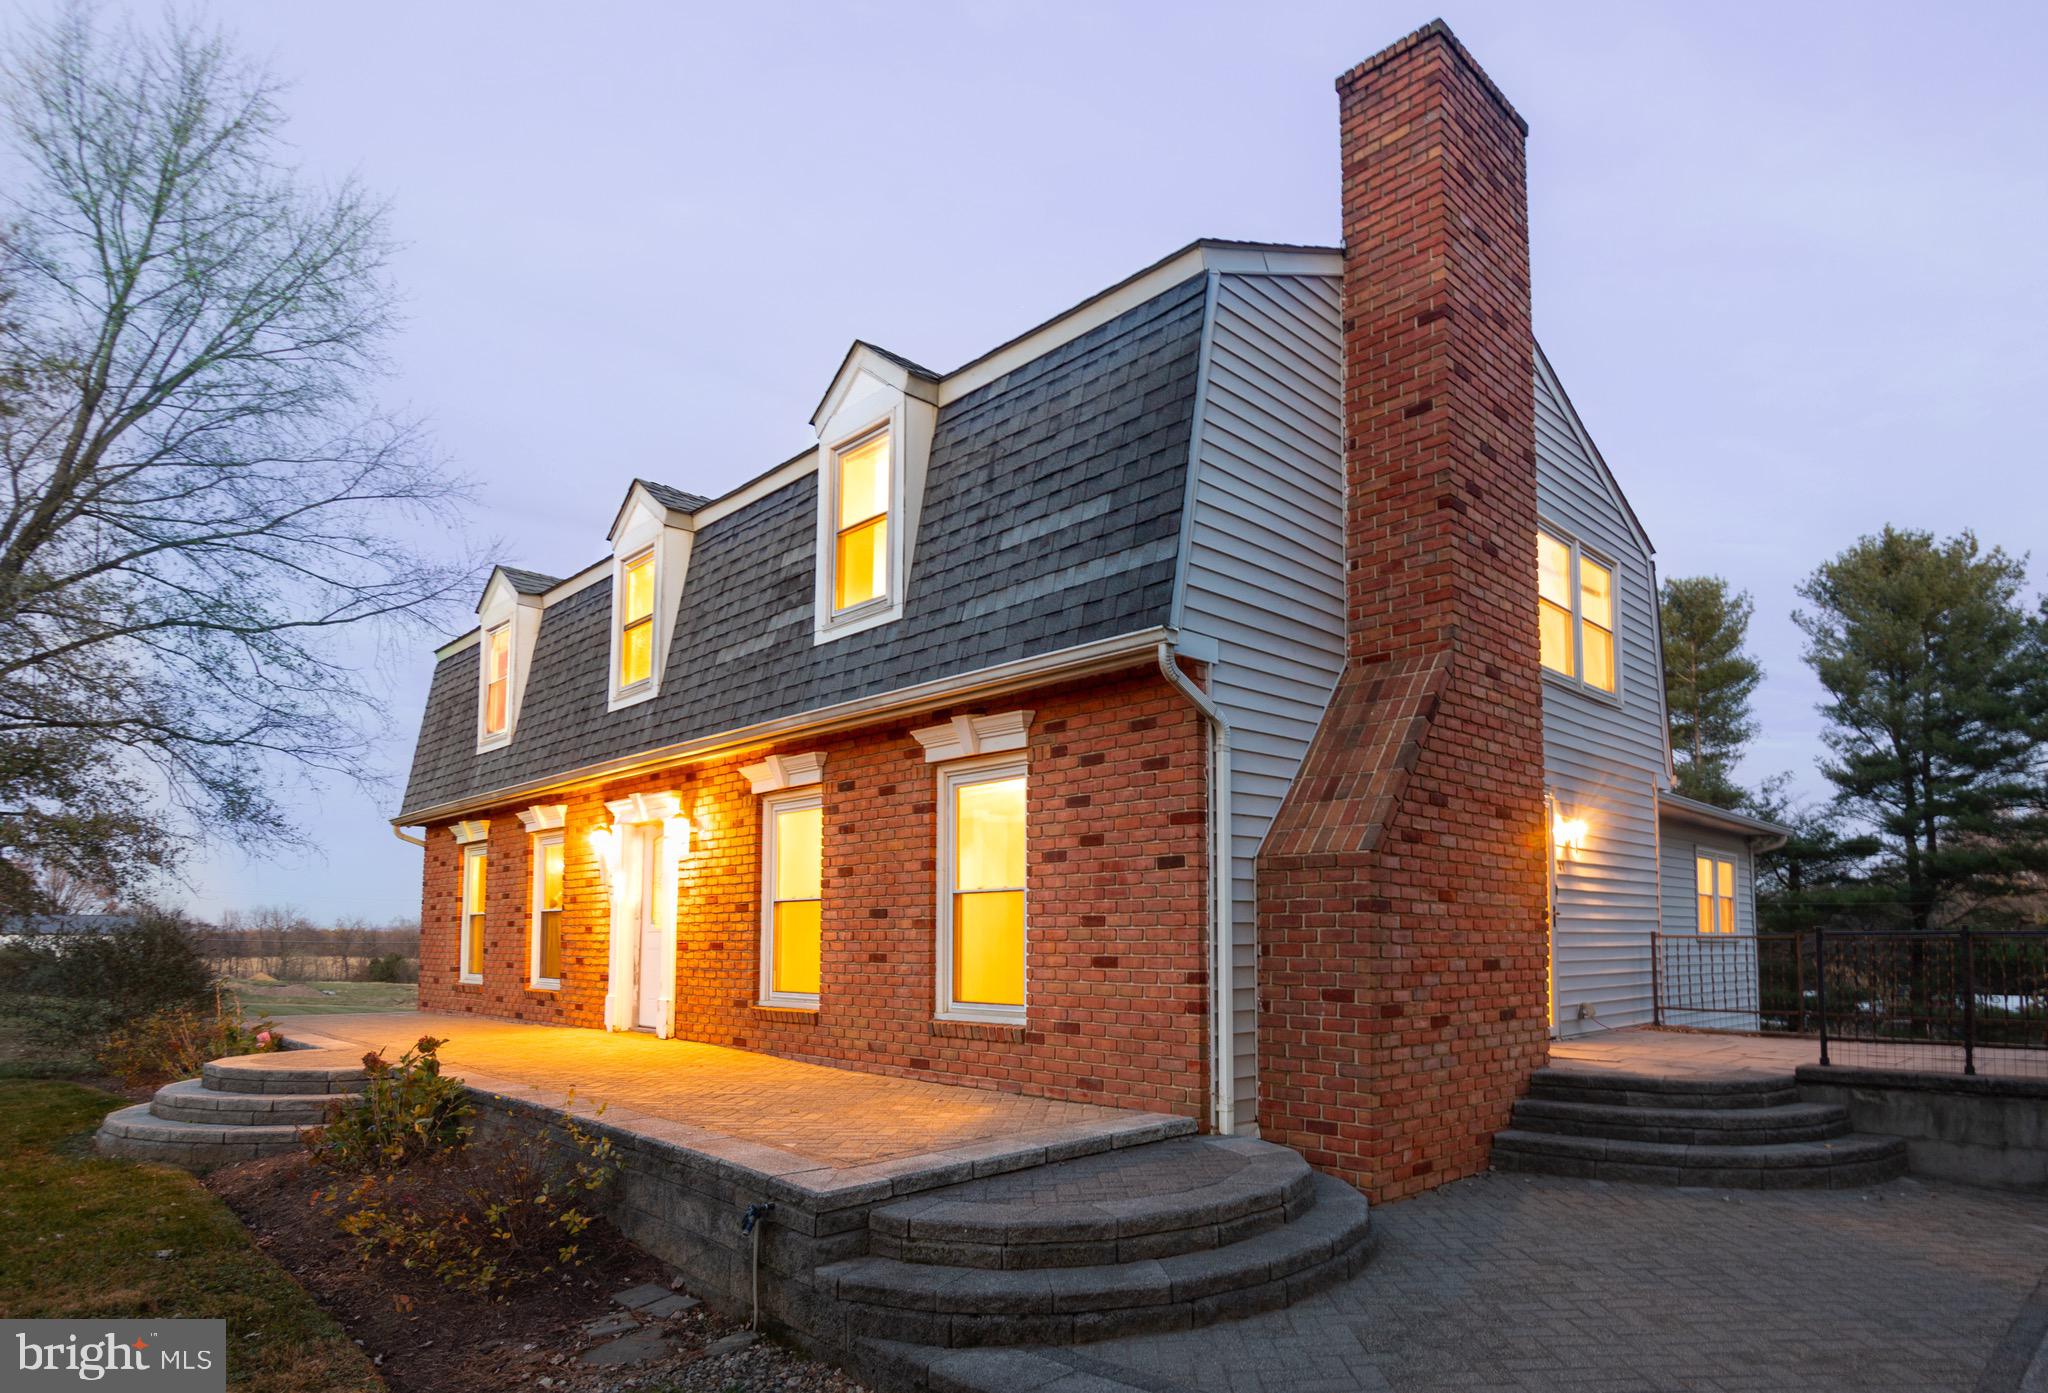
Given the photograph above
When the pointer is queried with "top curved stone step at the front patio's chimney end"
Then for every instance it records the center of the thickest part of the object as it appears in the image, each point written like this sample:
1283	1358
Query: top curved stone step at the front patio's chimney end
1156	1201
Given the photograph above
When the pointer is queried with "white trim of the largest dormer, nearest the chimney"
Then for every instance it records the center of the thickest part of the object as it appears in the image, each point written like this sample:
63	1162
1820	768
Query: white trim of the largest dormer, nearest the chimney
871	392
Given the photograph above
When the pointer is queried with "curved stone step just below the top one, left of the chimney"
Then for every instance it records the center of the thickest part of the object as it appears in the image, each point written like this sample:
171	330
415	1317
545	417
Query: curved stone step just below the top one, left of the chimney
937	1306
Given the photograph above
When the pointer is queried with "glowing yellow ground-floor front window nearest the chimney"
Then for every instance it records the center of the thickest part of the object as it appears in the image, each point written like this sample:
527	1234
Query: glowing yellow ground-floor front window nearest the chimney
988	890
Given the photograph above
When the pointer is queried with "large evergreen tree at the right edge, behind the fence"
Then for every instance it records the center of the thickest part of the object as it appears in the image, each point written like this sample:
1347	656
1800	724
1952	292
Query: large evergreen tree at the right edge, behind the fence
1938	714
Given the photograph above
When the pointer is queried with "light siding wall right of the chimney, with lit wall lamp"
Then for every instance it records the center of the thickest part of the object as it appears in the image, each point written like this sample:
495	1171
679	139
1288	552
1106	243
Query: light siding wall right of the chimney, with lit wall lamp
1605	755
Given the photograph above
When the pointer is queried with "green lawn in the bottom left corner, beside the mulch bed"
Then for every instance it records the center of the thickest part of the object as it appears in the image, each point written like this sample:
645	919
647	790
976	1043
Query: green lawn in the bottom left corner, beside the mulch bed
95	1238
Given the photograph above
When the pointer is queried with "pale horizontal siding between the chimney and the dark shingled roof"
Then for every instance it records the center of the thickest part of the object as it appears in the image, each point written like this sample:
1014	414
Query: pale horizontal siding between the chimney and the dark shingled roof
1265	575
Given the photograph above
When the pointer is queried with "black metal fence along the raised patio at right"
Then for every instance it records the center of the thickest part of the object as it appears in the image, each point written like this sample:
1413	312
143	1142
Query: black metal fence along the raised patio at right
1951	1001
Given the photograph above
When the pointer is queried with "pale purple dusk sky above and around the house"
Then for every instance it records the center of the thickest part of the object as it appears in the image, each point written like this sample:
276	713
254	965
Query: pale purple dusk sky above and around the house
1789	259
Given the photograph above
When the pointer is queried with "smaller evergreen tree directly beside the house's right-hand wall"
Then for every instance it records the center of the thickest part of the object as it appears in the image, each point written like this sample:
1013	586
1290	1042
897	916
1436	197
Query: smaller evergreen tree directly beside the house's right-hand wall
1709	681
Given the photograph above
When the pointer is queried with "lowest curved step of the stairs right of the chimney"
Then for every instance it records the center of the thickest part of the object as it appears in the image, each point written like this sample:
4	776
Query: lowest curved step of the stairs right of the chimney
1838	1165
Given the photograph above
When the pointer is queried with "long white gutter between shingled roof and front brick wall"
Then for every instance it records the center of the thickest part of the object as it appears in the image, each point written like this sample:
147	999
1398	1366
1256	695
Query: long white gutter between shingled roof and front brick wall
1080	661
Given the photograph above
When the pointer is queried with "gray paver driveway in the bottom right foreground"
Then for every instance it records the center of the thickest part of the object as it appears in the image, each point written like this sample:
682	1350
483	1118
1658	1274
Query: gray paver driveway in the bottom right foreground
1535	1283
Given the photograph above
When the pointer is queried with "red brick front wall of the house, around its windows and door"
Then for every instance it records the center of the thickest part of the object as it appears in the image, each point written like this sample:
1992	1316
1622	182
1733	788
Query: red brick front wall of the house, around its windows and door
1117	900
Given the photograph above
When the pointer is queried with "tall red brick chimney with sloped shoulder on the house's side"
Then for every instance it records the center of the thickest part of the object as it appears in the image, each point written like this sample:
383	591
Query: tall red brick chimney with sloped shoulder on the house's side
1404	947
